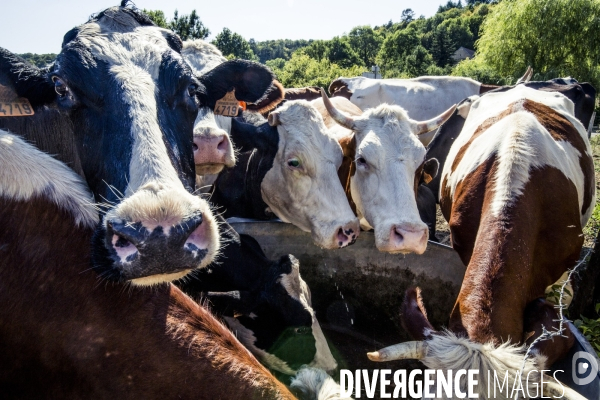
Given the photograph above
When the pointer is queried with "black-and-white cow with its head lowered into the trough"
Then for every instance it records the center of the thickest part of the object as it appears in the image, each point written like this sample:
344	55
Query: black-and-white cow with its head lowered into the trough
265	303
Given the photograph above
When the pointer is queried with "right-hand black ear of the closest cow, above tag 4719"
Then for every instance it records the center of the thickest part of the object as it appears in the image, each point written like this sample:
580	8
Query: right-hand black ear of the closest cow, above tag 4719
250	80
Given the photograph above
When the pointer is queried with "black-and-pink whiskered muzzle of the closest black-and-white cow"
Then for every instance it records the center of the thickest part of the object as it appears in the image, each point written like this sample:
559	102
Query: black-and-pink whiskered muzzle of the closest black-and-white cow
158	238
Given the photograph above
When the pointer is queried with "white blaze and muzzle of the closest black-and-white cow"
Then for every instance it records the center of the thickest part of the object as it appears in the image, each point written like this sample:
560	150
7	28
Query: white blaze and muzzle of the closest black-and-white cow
155	201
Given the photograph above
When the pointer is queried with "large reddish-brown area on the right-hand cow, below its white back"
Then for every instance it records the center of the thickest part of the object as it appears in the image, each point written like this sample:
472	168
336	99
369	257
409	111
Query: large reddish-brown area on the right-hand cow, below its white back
514	256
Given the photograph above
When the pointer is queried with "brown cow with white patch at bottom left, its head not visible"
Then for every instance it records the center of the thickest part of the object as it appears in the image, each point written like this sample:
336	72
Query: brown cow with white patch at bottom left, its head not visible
65	333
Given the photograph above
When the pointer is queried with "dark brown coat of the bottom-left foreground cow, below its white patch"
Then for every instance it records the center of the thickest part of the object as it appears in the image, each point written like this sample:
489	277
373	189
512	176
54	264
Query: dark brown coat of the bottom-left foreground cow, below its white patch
83	320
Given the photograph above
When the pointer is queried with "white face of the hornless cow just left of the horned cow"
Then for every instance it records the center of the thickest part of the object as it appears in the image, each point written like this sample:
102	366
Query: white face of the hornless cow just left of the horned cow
303	187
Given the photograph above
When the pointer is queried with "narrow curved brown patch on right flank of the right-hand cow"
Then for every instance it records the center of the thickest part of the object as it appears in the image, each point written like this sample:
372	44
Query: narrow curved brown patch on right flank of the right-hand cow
561	129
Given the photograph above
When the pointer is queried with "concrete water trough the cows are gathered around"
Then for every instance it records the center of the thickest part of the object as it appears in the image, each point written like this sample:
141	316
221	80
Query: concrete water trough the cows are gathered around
357	292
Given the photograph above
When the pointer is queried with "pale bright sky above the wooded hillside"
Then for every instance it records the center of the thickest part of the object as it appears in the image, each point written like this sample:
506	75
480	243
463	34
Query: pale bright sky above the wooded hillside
38	26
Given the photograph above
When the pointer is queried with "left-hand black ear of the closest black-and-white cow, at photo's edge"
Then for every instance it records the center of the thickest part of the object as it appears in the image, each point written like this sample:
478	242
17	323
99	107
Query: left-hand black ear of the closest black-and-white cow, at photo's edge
23	79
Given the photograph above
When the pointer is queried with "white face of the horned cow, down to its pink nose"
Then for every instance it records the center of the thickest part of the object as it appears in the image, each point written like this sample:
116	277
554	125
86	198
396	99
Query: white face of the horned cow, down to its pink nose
388	154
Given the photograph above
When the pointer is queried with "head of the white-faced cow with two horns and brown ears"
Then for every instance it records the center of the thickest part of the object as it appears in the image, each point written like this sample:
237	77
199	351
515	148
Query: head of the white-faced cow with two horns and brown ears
384	165
